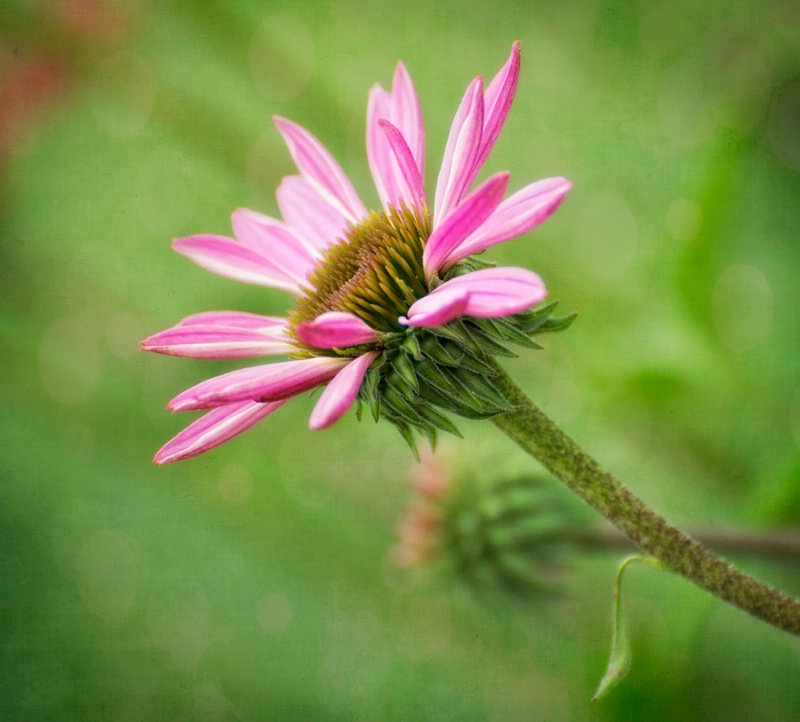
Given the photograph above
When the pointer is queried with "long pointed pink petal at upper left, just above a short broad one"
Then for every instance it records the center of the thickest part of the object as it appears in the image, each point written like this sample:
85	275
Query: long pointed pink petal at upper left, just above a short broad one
319	168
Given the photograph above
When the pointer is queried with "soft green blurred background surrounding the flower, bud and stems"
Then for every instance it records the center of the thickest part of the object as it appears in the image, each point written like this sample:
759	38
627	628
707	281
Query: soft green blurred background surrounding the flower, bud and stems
252	583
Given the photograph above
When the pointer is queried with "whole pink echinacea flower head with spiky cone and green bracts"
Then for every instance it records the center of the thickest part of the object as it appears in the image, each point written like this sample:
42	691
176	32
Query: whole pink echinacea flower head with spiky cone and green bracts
391	307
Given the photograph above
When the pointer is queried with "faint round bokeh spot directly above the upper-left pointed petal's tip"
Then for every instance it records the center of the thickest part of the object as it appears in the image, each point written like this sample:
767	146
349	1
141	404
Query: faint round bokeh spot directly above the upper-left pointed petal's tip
281	57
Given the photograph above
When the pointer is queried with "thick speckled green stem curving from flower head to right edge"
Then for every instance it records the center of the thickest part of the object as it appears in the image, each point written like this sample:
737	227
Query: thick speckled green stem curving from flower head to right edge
560	455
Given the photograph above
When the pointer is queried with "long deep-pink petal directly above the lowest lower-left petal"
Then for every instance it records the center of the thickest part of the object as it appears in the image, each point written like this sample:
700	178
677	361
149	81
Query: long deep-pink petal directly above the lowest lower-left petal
270	382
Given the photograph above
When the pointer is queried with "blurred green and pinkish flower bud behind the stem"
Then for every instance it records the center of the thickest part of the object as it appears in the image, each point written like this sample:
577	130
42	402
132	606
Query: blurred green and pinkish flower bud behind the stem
482	523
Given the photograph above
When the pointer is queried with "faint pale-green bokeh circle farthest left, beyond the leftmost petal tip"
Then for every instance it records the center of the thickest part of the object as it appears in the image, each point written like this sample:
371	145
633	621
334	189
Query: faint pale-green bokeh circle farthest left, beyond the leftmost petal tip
69	361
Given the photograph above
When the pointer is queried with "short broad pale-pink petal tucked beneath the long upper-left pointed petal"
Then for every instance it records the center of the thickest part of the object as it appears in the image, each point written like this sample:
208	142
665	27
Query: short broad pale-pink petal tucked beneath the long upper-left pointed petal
309	215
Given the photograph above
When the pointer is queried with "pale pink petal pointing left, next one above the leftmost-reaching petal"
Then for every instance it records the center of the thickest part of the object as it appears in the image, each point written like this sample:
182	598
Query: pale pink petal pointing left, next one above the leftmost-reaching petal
233	260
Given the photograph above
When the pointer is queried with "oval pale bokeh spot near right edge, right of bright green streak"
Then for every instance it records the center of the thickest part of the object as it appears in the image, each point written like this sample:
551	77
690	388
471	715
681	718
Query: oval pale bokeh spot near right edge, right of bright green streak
742	306
